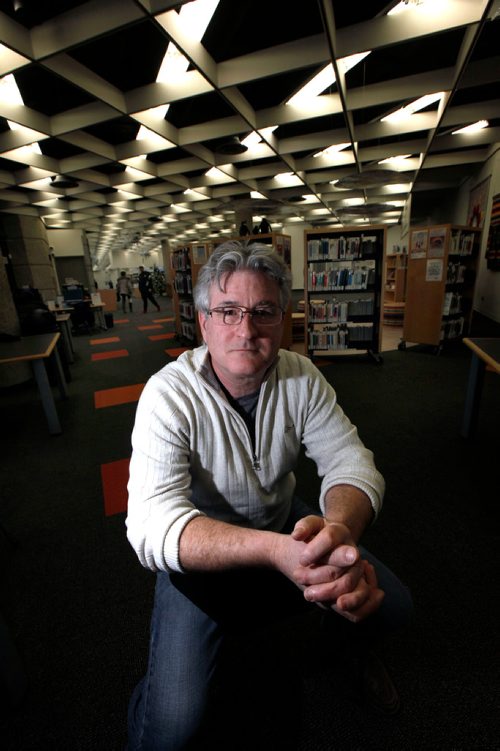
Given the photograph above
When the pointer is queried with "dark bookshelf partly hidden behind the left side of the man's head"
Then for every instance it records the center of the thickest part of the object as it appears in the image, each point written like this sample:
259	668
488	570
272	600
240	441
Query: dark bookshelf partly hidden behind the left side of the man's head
185	263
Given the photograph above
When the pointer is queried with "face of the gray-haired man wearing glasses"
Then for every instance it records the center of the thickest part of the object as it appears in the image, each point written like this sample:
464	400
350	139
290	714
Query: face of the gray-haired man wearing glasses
242	353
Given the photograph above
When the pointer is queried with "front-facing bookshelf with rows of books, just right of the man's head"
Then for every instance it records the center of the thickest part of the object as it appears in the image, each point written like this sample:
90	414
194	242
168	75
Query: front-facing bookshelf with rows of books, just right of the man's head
343	290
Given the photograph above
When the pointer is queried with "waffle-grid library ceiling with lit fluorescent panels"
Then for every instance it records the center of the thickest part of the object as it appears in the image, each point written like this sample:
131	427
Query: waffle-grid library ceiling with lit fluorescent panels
143	120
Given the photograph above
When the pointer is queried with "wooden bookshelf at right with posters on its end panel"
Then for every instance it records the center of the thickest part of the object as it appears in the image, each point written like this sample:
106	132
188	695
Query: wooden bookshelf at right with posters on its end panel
442	268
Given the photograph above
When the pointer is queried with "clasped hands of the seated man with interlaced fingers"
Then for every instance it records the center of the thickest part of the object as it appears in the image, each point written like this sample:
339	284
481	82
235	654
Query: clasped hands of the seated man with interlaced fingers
323	560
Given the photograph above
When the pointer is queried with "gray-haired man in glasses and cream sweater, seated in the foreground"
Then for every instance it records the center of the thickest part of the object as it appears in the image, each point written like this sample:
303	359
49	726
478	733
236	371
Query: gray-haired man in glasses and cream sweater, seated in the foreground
211	496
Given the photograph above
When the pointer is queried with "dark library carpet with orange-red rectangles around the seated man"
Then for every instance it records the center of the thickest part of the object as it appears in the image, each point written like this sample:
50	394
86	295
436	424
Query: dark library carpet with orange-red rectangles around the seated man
78	603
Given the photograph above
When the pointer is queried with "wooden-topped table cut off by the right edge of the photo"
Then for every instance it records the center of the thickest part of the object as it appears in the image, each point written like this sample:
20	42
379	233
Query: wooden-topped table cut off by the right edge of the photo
485	354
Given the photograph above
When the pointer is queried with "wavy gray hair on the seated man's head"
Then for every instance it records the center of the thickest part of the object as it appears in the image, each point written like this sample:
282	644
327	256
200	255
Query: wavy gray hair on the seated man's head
235	256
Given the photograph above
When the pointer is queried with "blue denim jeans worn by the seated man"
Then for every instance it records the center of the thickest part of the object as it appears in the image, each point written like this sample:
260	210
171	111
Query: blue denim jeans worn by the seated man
195	616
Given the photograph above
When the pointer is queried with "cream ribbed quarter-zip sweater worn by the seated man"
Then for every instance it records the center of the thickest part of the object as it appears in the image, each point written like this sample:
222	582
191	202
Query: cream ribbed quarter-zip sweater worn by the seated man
192	452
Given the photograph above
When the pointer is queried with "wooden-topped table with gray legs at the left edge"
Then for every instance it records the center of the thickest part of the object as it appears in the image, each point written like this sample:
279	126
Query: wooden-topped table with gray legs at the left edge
36	350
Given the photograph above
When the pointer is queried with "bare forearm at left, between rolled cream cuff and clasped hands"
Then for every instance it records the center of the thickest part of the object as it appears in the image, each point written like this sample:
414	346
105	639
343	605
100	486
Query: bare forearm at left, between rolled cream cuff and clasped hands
210	545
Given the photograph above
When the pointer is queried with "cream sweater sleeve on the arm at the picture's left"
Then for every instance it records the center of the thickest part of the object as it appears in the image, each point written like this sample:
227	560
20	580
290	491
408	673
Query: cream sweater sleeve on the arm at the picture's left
159	486
